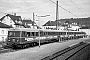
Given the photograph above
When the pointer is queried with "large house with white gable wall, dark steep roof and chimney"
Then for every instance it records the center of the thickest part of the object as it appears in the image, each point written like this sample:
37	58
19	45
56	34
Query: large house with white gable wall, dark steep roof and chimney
12	20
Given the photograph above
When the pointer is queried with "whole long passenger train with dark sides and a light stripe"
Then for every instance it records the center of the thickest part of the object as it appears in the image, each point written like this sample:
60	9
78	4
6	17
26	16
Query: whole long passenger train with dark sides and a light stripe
25	37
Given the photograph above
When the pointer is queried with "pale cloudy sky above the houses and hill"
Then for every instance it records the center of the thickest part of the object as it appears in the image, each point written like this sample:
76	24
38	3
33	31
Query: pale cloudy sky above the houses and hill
25	9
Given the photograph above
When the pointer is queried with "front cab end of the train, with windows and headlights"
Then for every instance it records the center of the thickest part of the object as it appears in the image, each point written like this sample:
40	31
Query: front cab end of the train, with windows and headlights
15	38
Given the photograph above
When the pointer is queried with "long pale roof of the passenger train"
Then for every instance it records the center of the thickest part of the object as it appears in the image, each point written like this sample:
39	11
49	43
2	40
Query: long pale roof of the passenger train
36	30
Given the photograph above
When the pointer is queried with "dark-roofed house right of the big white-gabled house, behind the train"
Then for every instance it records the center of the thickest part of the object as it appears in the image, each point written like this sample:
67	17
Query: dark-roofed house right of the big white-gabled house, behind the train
29	23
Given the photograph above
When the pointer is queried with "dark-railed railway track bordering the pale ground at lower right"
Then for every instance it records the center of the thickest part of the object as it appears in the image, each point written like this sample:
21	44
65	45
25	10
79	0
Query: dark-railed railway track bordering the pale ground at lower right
66	53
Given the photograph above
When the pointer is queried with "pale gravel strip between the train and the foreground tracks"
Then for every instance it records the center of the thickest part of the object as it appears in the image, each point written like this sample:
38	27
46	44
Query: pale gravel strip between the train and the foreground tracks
36	53
